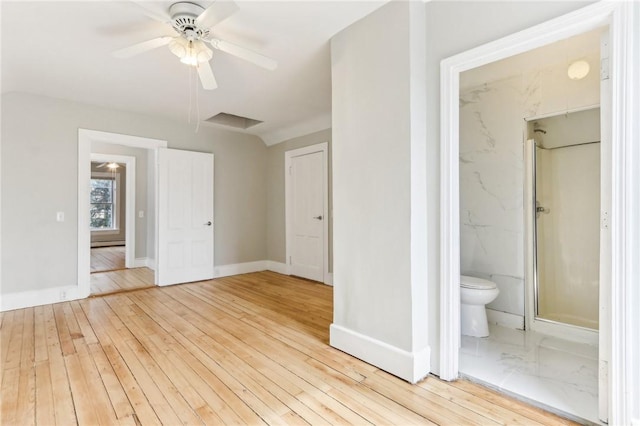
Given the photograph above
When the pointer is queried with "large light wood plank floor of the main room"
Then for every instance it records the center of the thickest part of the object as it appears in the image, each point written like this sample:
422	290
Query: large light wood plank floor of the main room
249	349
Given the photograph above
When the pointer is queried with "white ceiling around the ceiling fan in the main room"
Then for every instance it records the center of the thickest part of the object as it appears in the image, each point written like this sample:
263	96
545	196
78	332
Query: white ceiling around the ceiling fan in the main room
63	50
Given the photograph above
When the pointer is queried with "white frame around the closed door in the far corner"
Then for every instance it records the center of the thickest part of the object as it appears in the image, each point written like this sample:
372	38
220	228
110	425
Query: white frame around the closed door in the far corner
288	181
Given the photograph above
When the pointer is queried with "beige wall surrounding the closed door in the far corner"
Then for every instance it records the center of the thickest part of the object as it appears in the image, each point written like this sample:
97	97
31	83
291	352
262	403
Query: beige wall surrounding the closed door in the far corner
276	226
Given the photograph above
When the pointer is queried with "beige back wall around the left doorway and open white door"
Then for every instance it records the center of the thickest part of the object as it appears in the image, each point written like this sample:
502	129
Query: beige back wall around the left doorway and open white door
41	253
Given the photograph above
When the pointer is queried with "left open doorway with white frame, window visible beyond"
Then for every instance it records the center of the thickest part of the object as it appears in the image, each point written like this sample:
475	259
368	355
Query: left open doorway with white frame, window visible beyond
116	212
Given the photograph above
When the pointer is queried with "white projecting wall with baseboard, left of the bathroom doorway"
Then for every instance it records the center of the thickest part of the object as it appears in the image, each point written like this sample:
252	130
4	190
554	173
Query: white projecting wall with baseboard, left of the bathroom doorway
379	190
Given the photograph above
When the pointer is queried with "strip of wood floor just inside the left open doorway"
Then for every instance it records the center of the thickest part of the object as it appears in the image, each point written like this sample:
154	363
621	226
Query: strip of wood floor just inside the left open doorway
121	280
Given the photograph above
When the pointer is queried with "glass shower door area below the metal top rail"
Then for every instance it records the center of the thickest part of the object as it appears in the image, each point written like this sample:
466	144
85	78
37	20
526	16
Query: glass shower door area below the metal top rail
567	187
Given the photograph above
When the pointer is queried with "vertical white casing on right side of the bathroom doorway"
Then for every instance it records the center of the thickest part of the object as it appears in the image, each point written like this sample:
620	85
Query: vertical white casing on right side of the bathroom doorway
624	385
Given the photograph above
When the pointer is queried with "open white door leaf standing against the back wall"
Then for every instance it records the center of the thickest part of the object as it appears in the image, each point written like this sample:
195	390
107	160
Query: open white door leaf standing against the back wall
185	216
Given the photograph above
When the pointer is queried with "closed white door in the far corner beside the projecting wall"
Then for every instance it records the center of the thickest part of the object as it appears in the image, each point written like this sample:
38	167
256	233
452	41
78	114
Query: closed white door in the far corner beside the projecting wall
307	210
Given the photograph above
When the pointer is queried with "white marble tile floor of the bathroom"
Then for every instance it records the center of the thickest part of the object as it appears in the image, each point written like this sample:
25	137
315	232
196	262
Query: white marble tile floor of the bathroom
555	374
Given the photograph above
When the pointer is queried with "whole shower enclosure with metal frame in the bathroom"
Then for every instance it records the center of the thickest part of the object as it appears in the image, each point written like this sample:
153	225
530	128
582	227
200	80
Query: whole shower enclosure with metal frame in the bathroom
563	215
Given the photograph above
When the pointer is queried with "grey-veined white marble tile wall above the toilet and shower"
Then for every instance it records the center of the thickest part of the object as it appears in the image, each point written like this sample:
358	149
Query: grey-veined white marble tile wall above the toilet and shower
492	129
